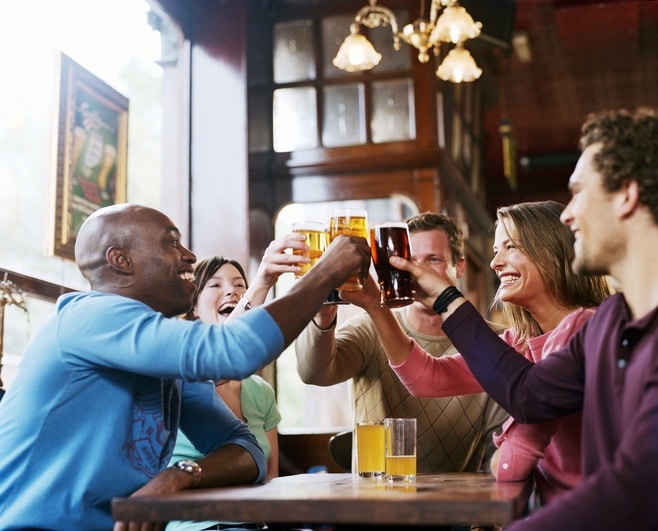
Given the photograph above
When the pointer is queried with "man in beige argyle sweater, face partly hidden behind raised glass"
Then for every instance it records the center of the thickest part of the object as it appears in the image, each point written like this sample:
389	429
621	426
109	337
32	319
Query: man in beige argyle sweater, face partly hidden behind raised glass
454	433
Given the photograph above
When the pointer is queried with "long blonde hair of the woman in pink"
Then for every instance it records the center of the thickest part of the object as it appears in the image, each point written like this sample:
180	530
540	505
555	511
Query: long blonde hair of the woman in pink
548	243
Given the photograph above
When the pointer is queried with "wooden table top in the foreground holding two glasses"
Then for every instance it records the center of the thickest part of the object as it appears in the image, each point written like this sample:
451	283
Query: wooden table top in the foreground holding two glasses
458	498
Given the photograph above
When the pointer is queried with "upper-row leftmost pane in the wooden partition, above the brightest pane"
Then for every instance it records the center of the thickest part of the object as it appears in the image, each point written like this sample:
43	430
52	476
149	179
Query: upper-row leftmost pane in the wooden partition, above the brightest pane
293	51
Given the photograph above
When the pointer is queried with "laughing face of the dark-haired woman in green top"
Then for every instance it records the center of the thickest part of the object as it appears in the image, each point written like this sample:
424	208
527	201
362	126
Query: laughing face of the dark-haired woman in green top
220	295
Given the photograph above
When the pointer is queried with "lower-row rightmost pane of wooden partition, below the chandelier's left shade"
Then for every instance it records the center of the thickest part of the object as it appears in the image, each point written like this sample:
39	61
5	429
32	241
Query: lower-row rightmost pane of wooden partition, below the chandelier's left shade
393	111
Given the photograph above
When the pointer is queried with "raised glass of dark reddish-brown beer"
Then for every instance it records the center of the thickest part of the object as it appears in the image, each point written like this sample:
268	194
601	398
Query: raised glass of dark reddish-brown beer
386	240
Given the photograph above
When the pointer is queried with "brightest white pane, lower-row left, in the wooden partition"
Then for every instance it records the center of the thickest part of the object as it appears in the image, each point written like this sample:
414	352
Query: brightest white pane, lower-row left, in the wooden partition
295	119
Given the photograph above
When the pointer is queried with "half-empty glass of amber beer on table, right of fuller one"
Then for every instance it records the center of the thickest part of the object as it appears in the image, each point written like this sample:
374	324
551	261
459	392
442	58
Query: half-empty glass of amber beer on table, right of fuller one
400	450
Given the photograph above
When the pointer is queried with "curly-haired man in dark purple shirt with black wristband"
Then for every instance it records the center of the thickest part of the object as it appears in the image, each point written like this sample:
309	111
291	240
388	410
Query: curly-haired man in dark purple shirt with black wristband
610	368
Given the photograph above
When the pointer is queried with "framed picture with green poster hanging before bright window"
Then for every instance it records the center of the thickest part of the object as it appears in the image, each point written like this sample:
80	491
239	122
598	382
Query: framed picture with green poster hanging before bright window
91	151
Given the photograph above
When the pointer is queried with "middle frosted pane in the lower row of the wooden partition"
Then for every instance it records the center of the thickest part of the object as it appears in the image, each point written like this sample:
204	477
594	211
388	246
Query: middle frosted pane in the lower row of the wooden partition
344	118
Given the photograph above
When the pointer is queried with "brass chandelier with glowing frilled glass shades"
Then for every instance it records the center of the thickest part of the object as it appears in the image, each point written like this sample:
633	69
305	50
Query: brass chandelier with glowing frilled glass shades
453	25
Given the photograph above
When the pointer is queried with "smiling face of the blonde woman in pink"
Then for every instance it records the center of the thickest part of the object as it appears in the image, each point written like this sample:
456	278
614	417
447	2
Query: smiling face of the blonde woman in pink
521	282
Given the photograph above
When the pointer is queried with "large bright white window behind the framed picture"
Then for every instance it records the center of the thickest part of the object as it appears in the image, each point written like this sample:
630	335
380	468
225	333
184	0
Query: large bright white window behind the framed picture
29	102
